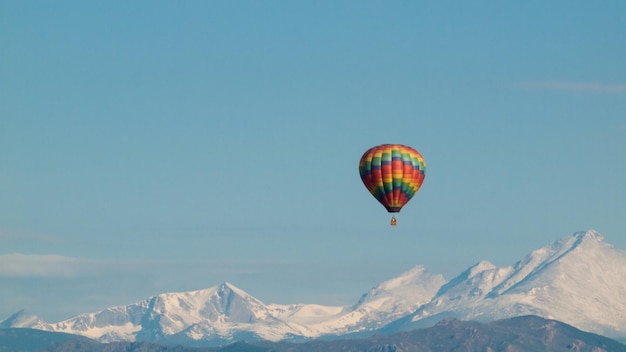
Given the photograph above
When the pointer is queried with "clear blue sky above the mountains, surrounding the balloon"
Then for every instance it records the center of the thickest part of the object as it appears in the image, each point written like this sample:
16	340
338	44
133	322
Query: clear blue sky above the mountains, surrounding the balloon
165	146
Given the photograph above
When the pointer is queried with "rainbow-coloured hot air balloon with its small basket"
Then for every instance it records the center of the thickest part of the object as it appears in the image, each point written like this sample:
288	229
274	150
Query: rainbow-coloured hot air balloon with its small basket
392	173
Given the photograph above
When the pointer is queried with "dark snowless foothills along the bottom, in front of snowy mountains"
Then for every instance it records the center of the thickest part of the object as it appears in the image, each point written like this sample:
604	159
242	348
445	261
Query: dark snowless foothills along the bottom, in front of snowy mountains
520	334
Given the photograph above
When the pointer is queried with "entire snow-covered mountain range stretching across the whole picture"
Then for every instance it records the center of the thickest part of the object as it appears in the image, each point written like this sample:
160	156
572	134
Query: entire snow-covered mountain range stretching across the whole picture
579	280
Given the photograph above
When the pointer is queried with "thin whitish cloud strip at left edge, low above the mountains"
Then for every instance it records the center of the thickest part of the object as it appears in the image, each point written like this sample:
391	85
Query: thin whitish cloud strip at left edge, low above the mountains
33	265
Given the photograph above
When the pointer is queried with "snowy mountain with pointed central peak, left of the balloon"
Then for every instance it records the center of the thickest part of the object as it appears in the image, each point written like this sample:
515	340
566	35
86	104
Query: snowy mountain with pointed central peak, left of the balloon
216	313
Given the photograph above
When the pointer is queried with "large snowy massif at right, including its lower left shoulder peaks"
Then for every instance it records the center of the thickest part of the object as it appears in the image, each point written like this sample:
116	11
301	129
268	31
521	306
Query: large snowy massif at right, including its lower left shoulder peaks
579	280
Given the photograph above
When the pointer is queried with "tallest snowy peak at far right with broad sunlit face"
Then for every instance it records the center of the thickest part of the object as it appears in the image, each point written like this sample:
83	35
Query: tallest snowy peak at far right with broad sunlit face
582	282
